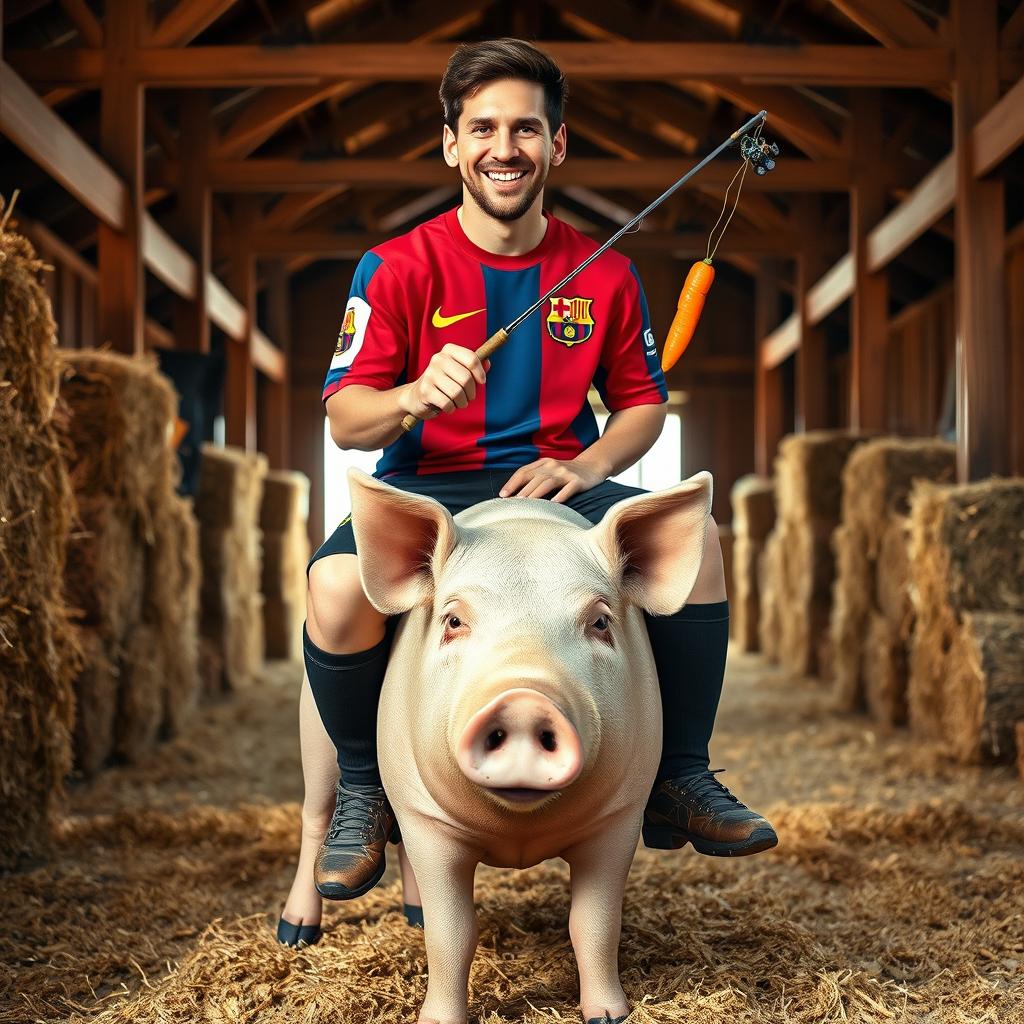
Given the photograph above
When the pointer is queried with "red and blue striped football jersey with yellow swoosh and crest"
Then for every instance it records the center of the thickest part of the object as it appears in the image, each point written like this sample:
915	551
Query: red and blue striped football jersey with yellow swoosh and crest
414	294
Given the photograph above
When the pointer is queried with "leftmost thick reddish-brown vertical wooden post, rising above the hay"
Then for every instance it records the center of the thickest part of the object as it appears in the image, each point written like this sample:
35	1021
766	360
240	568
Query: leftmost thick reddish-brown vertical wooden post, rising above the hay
122	295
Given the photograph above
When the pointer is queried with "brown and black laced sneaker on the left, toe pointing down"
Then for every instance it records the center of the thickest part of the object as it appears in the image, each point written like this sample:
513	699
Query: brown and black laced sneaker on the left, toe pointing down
352	861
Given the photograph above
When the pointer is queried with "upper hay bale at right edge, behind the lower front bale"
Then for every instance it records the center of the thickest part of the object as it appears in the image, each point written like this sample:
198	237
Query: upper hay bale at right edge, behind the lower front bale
966	556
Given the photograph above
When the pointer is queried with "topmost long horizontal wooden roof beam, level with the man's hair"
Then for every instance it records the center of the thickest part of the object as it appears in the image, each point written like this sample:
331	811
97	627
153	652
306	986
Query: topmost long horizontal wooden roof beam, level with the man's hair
240	66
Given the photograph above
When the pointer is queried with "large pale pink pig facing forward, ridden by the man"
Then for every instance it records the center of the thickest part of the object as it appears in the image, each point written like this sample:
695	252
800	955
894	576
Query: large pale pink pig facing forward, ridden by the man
521	717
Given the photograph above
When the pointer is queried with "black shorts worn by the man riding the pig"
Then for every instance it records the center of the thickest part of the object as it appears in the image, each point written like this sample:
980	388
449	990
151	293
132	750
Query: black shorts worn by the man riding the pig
458	492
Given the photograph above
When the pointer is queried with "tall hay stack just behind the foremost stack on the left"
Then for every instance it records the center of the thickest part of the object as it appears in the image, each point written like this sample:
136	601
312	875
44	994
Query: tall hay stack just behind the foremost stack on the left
130	563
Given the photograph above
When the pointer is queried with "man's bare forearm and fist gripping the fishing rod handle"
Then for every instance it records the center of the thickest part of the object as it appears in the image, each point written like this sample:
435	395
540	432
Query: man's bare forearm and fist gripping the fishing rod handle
367	419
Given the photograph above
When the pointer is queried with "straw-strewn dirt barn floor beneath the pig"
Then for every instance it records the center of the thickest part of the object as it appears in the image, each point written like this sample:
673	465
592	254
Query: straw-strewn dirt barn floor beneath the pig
897	893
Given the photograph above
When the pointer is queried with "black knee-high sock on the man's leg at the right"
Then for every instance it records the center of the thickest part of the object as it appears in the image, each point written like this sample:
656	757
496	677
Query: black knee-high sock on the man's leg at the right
690	649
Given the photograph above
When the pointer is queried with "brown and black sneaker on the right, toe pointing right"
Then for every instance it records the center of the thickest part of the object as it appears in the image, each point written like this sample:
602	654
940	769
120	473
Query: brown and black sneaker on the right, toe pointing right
699	809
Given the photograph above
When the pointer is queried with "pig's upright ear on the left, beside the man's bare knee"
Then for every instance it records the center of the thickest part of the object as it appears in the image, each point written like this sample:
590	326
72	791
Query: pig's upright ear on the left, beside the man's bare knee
403	540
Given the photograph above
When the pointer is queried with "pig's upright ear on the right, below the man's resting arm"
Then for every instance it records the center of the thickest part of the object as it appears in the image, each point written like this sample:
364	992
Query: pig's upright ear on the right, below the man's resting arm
656	543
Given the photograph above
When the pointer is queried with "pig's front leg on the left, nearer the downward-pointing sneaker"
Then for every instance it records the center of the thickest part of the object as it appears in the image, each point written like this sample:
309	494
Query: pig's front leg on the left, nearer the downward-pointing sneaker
445	873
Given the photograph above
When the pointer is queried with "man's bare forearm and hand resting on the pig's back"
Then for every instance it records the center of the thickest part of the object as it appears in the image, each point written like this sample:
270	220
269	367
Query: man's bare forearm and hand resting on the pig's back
629	436
